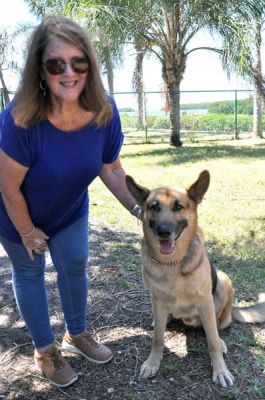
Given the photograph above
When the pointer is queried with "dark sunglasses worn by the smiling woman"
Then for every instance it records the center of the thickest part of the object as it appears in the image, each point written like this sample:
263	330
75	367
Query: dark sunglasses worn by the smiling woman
57	66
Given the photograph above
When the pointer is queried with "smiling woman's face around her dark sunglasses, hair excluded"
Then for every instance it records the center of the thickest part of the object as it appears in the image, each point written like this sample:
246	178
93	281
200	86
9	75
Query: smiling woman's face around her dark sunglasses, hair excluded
67	86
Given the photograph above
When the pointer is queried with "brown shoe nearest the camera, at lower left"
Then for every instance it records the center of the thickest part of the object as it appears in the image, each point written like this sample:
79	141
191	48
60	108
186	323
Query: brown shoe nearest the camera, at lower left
55	368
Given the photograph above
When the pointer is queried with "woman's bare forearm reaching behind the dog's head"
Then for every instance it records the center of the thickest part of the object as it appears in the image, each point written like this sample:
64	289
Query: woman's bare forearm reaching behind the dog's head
113	176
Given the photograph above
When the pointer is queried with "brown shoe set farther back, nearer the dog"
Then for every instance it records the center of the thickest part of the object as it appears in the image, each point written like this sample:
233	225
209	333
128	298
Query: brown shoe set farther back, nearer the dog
85	345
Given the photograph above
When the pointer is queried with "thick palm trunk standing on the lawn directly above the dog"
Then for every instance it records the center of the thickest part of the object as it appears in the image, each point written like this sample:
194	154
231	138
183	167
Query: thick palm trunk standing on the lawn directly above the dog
174	114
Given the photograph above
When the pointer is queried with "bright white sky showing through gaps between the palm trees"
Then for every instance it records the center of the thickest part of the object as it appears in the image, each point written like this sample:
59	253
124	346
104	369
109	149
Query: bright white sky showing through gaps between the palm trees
203	72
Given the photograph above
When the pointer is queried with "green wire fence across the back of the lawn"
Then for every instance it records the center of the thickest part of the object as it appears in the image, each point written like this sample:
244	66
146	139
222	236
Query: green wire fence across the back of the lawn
203	114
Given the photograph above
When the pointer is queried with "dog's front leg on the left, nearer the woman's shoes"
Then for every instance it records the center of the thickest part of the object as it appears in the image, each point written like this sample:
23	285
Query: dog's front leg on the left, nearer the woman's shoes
152	364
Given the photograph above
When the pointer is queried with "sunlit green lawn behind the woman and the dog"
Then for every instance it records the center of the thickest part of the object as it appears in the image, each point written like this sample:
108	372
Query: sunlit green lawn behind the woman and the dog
232	215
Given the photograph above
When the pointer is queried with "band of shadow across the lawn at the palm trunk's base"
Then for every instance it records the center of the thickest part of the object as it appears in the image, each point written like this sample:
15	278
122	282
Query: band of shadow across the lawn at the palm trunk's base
196	153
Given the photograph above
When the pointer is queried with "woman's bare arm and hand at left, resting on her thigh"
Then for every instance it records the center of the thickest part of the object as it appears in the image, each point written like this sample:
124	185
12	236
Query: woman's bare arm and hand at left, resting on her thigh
12	175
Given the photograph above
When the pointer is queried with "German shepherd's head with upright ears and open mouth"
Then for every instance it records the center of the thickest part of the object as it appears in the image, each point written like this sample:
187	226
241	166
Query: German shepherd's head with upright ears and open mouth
169	215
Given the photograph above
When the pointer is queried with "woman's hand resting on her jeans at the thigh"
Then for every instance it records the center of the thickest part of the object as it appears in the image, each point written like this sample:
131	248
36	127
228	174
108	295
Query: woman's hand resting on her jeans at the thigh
36	242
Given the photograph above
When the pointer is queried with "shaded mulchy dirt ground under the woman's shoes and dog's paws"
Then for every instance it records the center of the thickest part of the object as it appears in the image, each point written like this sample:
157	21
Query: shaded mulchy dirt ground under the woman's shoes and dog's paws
120	315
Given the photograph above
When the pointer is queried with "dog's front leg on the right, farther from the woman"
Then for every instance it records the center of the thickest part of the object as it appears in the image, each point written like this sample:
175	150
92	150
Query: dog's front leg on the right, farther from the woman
221	374
